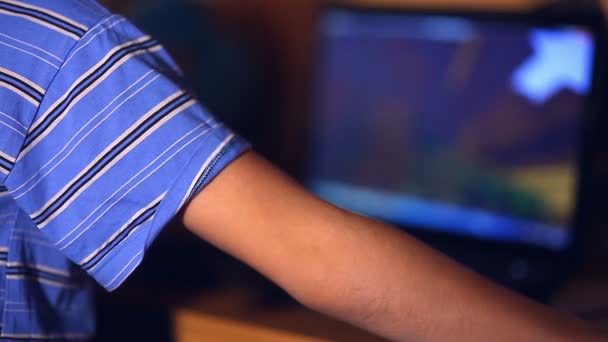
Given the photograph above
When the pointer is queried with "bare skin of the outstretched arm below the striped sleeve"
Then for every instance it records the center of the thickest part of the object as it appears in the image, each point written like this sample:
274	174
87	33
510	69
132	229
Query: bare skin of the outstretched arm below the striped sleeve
360	270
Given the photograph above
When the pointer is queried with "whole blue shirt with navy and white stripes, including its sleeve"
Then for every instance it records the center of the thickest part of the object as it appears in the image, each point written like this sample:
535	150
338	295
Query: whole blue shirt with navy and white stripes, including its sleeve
100	146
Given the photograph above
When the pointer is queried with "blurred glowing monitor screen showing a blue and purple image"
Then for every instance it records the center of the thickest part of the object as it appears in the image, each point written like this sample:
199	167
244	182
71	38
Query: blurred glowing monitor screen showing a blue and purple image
451	124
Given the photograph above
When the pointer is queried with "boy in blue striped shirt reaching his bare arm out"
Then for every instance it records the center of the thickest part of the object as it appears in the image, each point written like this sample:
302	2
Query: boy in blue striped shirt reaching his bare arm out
100	147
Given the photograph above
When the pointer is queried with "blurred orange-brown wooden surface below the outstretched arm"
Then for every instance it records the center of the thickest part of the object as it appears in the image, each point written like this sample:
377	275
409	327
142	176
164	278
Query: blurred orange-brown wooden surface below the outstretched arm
236	314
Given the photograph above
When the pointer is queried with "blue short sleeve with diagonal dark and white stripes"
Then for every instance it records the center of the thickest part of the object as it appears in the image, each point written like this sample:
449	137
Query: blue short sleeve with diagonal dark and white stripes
116	148
